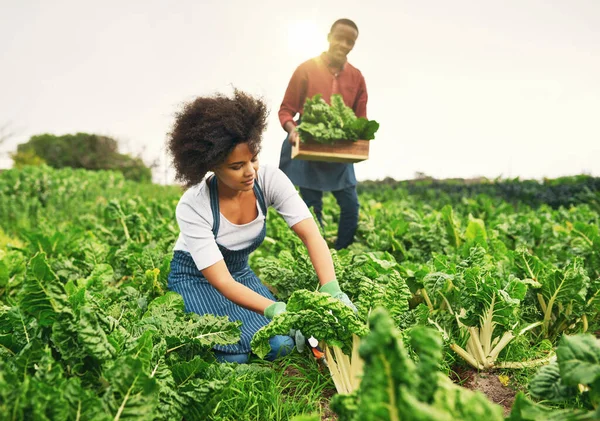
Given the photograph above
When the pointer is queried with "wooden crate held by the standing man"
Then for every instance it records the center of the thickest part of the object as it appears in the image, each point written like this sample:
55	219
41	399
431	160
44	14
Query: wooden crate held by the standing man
346	151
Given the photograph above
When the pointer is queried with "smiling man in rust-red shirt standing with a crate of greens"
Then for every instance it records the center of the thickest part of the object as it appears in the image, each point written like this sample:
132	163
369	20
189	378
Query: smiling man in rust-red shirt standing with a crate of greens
328	74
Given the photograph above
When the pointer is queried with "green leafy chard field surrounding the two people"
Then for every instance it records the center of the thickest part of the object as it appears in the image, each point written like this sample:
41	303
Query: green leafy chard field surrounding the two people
473	301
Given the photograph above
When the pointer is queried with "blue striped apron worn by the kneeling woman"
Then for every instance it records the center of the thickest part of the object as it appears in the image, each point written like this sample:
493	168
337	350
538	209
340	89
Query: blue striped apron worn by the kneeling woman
201	297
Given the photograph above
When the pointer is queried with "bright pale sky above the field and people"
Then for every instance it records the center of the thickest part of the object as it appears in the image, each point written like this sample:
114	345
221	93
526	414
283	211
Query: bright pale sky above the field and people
461	88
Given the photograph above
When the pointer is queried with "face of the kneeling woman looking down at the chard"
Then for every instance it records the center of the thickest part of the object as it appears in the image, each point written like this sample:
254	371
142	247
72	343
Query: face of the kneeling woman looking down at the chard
238	172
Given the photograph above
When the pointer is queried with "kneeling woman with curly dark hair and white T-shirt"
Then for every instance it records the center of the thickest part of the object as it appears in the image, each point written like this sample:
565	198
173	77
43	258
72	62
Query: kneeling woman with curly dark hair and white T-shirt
222	218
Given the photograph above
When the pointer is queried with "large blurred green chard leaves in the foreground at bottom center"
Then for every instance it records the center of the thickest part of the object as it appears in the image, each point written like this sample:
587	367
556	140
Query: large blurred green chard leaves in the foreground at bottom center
394	387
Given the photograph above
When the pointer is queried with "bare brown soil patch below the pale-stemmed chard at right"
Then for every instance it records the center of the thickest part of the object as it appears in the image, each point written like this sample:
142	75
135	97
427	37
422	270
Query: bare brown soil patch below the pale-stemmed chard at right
488	384
